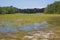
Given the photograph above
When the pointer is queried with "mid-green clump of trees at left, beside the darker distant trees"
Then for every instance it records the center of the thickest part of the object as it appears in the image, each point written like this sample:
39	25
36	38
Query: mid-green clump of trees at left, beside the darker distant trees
8	10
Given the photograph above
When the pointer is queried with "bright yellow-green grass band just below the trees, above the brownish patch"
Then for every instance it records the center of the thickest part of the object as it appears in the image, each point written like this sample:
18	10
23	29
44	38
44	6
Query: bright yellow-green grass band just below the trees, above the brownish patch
27	17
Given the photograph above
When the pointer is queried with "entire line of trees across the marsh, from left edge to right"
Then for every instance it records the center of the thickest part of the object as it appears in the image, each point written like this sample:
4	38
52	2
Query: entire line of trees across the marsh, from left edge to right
51	8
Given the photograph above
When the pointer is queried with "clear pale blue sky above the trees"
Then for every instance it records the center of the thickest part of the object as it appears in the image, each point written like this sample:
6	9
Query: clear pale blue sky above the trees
26	3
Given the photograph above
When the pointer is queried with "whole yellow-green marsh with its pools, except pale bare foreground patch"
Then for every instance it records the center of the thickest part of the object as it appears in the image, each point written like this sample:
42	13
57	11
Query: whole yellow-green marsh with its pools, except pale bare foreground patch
15	27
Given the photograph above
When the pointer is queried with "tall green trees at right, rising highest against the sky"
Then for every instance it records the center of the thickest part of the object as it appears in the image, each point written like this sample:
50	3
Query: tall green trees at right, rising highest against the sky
53	8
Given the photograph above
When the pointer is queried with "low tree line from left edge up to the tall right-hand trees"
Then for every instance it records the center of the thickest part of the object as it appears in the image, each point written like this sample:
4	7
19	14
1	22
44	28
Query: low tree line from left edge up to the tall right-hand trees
13	10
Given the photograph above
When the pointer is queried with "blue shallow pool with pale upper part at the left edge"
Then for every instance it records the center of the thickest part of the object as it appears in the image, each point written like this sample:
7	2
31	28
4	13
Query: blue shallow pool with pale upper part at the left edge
7	27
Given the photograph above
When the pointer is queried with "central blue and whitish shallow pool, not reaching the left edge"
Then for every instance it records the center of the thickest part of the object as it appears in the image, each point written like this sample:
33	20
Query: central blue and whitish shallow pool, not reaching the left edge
36	26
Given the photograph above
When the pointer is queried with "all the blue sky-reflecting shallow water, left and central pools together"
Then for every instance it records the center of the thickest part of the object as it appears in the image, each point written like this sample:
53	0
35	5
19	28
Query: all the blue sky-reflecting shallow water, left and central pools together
7	26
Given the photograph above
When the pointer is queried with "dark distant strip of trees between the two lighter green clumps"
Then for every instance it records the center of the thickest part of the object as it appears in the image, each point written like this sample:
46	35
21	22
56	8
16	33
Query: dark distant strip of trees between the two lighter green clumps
35	10
